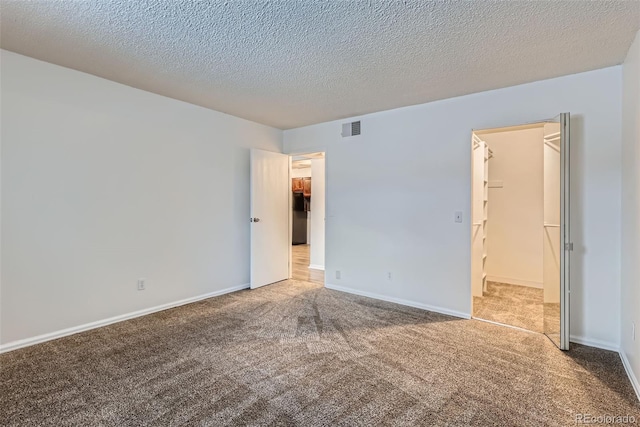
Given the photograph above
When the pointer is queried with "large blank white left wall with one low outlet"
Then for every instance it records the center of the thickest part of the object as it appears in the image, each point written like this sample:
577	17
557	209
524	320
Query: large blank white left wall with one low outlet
103	184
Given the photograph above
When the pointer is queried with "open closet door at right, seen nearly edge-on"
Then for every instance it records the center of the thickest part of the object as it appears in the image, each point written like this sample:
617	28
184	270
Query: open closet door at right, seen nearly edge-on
557	244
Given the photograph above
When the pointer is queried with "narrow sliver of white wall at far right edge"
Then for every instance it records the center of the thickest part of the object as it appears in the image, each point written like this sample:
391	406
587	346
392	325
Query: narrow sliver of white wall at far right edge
630	349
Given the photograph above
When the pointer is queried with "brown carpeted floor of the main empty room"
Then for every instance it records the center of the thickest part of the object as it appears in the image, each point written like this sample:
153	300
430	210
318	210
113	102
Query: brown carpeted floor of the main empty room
295	353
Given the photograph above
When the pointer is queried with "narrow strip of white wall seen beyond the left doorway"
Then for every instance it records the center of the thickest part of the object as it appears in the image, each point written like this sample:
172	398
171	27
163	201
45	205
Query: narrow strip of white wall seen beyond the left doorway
316	257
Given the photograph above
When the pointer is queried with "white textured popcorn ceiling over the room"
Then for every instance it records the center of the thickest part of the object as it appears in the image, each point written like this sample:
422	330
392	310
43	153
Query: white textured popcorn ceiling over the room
297	62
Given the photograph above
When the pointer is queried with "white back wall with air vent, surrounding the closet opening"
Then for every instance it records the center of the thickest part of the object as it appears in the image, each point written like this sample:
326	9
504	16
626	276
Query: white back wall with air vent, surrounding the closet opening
396	214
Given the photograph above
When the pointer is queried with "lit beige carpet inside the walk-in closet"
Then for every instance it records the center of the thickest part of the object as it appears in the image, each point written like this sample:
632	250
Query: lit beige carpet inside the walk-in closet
513	305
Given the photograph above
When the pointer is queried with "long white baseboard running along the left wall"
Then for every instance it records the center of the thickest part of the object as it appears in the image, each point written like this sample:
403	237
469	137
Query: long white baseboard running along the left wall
14	345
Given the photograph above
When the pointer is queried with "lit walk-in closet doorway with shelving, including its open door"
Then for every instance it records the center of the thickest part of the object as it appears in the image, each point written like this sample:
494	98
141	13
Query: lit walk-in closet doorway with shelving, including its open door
520	230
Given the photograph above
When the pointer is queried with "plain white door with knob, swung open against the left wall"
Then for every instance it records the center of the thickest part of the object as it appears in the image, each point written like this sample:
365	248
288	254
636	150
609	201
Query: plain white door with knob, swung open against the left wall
270	239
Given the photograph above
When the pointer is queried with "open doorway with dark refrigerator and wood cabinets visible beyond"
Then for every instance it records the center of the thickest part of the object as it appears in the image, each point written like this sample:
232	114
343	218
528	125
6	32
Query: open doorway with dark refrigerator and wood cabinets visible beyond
307	217
